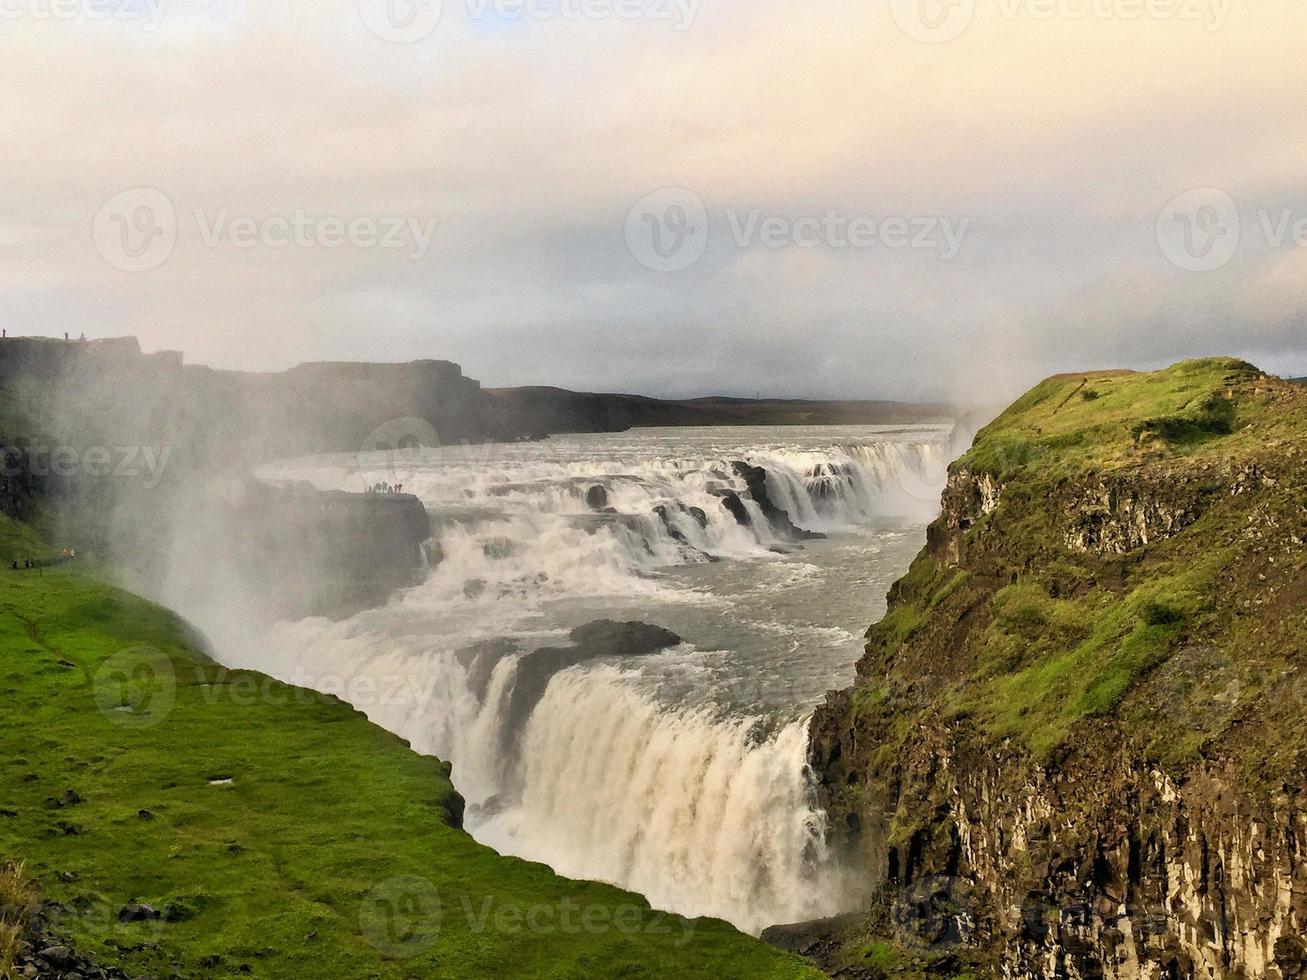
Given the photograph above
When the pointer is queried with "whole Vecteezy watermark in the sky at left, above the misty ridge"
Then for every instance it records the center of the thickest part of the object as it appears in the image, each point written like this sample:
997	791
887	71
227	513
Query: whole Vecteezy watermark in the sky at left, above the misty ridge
138	231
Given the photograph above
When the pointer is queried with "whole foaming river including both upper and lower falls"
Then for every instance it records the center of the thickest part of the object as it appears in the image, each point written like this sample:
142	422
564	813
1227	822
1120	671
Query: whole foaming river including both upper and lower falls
680	776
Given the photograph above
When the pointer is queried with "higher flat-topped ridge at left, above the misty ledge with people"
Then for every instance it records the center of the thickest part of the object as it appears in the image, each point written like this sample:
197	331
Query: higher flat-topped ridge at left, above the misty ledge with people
108	390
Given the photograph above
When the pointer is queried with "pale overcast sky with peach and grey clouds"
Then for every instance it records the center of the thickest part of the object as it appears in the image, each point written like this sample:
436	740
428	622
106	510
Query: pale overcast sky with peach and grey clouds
882	199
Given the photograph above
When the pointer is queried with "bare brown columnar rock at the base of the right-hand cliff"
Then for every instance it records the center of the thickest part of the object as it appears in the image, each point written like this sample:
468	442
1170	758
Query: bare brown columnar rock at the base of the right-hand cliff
1095	871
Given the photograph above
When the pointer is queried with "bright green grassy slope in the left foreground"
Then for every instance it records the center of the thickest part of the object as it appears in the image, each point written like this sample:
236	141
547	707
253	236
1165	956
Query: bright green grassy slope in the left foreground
330	853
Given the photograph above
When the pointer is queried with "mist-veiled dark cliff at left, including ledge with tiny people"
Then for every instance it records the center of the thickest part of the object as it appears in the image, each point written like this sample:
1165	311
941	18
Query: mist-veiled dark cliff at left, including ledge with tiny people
146	462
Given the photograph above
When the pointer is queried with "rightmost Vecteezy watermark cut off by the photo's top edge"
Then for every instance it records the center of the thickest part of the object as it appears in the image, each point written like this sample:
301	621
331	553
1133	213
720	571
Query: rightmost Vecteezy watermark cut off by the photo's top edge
938	22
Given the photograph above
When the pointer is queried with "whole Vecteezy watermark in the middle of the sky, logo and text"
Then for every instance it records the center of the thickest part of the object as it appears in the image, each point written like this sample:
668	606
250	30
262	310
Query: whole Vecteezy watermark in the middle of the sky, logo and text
670	232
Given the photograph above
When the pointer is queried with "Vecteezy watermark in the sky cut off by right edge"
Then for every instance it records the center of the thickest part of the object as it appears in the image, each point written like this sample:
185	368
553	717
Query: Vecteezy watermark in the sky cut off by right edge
1202	231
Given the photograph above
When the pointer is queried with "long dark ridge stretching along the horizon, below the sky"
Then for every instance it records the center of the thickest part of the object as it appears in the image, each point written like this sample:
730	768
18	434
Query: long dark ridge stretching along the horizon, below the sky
331	407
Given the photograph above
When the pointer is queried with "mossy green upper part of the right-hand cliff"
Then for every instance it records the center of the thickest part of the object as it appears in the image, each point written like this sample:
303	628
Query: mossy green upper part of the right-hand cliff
1065	621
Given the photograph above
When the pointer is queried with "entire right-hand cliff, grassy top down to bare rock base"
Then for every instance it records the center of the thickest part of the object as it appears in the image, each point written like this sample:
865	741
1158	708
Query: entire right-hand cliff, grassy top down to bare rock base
1078	742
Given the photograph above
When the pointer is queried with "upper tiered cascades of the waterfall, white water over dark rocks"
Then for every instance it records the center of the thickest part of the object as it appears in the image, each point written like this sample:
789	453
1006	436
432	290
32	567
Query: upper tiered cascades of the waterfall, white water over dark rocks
517	526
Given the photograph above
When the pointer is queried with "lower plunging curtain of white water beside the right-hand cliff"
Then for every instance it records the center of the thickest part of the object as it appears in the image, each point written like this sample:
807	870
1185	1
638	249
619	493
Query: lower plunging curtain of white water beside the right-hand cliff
695	813
